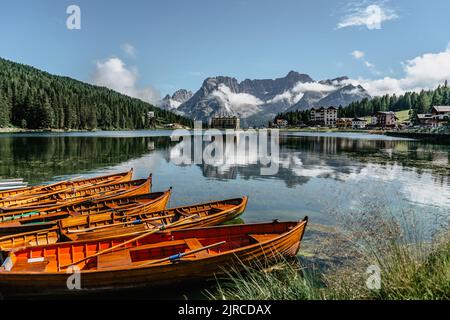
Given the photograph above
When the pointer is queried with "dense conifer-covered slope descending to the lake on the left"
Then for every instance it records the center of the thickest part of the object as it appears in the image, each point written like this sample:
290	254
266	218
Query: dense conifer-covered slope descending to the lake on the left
33	99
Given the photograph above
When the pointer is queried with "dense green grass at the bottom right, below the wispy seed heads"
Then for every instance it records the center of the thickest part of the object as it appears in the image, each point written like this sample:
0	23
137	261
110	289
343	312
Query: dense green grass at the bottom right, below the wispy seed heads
405	275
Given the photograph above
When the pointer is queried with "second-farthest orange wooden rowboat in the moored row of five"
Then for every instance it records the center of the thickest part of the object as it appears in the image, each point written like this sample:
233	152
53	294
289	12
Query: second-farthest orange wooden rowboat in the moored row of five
130	188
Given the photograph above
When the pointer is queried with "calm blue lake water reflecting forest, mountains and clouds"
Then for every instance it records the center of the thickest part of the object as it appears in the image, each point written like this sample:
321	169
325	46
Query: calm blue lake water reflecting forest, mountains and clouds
319	174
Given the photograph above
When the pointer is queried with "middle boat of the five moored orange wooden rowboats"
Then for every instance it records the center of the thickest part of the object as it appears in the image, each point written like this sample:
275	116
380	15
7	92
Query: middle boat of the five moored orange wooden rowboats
116	207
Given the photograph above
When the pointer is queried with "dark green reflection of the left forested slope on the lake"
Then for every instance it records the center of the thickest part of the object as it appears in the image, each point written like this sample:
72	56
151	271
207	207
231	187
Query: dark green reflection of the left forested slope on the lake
41	158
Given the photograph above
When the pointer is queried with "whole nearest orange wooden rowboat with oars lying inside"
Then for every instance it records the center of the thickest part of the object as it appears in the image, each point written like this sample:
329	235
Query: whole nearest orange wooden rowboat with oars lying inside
165	258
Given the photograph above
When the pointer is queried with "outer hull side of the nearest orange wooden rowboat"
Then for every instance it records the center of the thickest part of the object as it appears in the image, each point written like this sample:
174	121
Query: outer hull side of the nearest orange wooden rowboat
286	244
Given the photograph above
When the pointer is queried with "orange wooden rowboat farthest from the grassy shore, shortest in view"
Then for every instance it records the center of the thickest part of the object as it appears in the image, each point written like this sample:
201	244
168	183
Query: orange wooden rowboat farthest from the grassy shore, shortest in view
60	186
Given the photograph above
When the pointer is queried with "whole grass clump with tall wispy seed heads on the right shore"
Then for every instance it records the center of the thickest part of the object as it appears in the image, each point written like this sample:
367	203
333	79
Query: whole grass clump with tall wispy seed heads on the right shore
411	268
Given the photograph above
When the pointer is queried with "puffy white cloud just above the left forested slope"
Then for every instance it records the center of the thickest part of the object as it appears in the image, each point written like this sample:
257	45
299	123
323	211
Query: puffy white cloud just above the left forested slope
114	74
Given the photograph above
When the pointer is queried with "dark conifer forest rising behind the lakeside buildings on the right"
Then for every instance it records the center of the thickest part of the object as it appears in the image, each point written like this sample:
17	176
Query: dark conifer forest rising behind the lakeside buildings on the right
416	102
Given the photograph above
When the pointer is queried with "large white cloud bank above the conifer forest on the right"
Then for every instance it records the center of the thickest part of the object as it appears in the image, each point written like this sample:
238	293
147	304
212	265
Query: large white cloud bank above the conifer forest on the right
424	72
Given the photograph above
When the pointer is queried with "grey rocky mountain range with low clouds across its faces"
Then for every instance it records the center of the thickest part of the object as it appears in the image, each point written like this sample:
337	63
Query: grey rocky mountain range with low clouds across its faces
257	101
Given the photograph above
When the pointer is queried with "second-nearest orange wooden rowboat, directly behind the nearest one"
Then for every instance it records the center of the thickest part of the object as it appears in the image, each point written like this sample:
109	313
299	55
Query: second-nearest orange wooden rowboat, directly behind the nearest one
135	220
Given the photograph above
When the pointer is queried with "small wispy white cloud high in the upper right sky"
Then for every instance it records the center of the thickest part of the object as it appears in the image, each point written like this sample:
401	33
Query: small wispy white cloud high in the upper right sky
371	16
